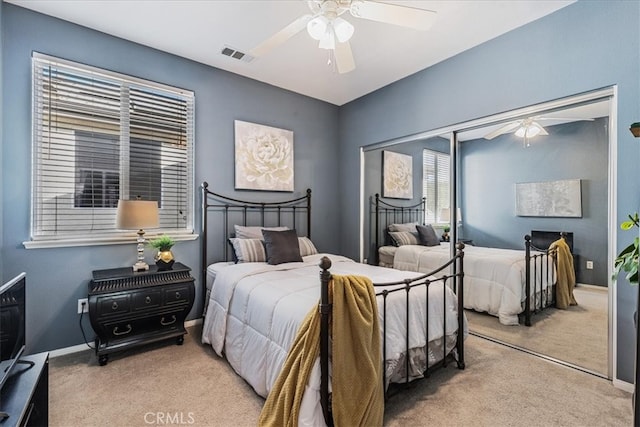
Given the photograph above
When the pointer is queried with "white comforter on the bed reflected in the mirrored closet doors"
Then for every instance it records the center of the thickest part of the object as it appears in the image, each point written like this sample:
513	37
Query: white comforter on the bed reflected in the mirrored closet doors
494	279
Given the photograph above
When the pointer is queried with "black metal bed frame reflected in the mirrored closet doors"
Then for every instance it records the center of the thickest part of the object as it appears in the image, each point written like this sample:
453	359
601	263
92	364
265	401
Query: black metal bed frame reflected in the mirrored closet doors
537	260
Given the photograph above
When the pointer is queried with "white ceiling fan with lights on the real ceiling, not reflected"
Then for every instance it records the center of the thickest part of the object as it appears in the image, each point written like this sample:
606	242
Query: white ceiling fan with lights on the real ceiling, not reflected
333	32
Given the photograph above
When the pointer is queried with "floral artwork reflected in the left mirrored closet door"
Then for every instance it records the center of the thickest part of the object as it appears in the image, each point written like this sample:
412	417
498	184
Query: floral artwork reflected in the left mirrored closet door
397	175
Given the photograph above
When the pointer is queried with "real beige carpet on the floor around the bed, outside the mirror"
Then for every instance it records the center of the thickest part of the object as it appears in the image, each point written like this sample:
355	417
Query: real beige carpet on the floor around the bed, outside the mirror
189	385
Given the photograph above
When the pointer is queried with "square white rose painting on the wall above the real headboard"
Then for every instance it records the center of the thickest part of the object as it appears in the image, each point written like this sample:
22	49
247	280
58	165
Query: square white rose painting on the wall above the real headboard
264	157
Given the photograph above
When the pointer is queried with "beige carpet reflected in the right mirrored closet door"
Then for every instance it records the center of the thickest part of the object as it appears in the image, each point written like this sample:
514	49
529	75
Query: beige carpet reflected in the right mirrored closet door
577	335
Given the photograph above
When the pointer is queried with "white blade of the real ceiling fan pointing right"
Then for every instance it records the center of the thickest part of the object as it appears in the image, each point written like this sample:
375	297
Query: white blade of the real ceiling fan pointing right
404	16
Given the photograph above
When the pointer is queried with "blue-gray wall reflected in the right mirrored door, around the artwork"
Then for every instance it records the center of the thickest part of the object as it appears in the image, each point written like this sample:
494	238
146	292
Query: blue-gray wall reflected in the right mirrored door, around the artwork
490	170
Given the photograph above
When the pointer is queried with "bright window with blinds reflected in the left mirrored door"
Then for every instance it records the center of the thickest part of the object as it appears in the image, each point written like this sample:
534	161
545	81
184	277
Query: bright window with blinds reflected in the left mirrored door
435	187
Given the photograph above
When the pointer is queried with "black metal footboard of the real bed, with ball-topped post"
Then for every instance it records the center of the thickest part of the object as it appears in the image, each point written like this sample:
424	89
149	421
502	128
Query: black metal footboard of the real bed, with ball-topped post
452	274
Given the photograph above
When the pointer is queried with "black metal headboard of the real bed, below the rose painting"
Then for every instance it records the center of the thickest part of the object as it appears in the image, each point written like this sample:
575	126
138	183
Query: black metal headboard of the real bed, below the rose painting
220	214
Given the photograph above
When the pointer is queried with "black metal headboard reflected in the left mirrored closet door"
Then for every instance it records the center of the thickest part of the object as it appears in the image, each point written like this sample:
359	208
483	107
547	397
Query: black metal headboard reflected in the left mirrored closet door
383	213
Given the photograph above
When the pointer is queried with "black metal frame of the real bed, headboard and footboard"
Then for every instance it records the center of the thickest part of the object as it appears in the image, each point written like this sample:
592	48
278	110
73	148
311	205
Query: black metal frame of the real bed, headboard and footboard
291	208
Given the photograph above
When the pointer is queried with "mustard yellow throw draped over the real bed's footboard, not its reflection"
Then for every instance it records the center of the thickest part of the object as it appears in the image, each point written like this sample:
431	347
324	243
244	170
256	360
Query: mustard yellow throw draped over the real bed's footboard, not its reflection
357	393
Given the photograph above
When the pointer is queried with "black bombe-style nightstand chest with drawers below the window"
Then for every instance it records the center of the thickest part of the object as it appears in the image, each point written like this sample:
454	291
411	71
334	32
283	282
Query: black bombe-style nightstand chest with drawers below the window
128	308
